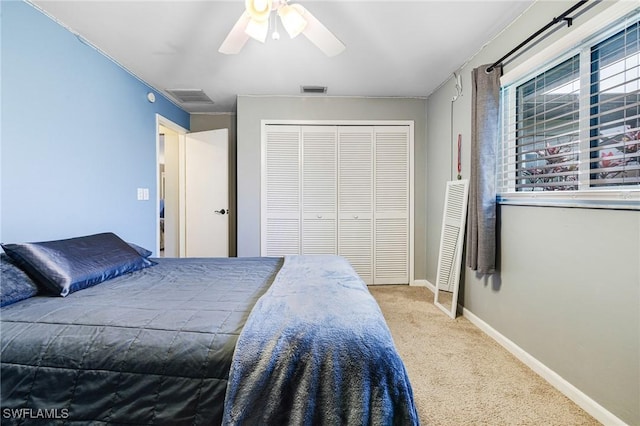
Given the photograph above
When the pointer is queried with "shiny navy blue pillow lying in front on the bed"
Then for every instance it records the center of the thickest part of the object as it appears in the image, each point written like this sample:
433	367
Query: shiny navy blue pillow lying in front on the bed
65	266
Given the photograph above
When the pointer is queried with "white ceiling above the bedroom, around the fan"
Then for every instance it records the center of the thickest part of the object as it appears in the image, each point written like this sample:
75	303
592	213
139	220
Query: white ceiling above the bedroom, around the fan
394	48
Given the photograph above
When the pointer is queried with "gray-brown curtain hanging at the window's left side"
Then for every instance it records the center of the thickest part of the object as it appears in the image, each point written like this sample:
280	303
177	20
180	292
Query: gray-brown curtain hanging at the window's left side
481	221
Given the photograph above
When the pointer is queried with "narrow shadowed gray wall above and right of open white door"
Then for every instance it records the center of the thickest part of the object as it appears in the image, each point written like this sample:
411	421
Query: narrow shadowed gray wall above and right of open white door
202	122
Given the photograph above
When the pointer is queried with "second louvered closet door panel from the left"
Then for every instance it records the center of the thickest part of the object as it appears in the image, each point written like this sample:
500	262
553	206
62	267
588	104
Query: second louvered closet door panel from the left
319	187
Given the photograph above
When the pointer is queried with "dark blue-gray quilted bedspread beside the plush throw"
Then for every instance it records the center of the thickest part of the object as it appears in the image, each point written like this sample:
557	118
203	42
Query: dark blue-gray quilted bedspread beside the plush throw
151	347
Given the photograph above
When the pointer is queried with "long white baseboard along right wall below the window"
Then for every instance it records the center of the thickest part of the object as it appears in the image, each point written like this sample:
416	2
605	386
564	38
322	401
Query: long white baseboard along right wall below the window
580	398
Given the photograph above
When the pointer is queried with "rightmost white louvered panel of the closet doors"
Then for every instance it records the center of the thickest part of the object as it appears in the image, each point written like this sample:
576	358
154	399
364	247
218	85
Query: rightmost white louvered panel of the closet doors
391	205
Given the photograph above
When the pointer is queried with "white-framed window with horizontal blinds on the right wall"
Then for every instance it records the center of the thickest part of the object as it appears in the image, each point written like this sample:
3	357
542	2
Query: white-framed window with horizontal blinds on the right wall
571	132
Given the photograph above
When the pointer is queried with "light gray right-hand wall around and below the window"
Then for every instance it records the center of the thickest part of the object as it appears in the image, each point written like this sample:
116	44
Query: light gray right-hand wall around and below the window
568	290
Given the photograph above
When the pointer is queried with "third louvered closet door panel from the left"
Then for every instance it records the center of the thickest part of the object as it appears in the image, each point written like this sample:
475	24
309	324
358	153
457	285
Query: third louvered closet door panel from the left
355	198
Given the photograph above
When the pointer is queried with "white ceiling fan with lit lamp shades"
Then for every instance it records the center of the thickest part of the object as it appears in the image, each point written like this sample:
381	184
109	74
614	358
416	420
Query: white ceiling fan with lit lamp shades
254	23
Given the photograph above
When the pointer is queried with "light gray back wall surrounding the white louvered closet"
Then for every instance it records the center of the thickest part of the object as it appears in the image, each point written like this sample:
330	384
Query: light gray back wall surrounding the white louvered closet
253	109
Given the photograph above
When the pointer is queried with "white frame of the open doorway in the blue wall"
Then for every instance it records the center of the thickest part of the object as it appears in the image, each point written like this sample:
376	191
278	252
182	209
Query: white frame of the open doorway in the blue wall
181	131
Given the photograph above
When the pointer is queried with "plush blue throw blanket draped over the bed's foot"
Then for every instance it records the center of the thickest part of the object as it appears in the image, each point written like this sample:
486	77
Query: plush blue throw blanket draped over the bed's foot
316	350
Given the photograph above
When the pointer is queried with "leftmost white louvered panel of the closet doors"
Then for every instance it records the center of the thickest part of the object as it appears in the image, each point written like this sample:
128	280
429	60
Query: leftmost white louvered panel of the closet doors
282	191
